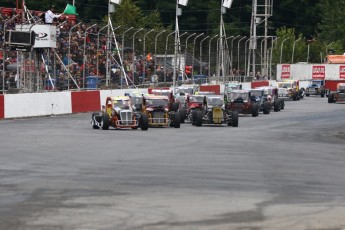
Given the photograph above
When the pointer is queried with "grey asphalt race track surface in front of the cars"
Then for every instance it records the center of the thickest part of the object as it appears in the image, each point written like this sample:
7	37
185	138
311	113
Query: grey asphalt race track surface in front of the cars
285	170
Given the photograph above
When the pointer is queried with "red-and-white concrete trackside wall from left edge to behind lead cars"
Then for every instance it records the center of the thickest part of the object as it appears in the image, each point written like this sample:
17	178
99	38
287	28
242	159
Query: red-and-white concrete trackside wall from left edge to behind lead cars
55	103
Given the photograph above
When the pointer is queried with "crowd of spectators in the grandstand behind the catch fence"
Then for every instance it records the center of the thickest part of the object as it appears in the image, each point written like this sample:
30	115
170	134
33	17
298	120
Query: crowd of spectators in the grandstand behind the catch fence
95	54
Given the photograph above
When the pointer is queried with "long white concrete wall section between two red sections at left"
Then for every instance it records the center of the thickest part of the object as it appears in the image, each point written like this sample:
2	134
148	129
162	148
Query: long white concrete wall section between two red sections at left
37	104
